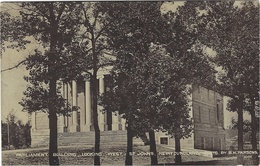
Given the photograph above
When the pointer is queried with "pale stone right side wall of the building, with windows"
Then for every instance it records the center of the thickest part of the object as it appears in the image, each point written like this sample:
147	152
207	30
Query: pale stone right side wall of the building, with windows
208	118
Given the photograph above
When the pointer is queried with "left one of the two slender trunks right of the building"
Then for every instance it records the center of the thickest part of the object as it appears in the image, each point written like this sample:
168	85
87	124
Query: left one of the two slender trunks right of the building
240	158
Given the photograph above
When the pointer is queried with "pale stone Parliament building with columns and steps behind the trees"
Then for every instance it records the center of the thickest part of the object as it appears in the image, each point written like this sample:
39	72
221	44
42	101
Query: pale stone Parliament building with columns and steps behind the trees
206	112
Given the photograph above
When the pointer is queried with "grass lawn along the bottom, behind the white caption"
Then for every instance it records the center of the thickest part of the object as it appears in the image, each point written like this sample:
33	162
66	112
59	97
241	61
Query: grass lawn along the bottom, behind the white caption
80	156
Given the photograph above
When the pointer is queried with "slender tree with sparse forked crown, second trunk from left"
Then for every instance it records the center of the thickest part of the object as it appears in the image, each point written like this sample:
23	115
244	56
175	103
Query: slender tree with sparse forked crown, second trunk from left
94	48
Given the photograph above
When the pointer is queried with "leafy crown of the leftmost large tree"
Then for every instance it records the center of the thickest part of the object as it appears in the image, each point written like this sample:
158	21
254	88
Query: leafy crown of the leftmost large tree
37	20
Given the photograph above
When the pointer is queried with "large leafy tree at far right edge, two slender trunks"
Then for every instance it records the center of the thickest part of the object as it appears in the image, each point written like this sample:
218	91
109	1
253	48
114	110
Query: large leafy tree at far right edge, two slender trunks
231	32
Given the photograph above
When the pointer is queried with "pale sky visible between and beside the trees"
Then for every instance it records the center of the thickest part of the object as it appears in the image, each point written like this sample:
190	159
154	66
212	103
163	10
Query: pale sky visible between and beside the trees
13	85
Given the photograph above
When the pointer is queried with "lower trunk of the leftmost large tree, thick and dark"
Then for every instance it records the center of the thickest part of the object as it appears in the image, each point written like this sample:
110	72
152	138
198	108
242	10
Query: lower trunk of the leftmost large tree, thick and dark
53	146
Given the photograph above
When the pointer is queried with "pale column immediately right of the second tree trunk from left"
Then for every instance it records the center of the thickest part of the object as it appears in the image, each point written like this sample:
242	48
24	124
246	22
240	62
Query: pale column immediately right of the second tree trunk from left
102	125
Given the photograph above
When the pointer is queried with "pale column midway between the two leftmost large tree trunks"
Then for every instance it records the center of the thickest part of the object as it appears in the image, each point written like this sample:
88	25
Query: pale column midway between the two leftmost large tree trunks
73	128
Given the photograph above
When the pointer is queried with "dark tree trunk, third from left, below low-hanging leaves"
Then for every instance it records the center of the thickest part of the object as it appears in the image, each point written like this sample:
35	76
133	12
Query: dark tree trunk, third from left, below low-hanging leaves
129	150
